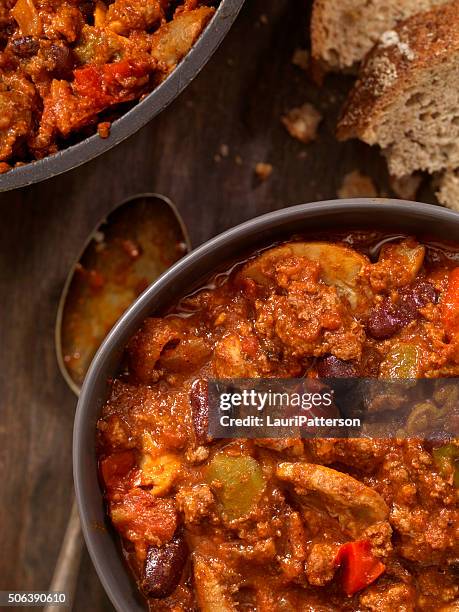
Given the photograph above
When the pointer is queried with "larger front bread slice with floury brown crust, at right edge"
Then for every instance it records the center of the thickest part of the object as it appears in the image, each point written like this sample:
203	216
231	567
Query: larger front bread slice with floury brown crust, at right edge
407	96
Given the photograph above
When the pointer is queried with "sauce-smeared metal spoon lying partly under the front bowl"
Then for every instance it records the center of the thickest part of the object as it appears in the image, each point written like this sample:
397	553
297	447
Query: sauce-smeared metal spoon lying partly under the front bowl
140	239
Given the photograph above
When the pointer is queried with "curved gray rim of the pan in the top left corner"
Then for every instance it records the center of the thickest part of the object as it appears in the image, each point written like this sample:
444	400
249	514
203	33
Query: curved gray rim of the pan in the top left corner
138	116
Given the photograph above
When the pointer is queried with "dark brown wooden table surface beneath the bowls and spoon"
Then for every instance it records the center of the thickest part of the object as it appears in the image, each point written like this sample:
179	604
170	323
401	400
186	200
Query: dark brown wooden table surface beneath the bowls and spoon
236	101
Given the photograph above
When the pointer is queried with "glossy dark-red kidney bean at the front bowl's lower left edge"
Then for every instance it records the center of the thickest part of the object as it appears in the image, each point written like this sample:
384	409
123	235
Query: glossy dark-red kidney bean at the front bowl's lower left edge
164	566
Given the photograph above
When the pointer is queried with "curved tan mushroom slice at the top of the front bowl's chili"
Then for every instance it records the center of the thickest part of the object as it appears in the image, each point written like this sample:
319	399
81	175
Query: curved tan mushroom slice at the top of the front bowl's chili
340	266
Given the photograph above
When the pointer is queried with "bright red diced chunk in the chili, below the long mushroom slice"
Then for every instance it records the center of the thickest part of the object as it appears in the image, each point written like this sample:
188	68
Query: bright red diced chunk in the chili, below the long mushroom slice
359	566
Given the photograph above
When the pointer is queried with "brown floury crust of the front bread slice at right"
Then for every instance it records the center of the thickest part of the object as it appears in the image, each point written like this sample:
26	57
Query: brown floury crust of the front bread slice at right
425	41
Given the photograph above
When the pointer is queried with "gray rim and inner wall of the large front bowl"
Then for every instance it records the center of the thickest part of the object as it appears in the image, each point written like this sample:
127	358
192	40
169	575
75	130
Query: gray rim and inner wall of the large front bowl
395	216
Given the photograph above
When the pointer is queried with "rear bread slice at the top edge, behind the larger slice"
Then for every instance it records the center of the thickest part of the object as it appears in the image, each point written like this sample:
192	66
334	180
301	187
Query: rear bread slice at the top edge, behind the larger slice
343	31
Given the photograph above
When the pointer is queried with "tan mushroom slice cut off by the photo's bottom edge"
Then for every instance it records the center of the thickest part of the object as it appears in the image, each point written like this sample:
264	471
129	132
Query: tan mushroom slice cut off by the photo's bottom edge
211	594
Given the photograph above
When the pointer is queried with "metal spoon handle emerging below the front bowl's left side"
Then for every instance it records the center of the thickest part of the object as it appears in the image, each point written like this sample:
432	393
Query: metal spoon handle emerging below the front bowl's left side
68	563
